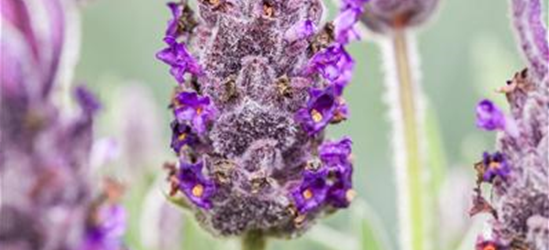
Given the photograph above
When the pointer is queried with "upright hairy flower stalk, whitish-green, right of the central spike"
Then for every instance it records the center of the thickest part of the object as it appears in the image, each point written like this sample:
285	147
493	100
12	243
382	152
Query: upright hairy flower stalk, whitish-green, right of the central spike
404	101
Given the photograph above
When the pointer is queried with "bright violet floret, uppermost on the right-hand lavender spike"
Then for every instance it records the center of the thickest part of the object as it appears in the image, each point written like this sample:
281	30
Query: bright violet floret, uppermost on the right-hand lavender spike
489	116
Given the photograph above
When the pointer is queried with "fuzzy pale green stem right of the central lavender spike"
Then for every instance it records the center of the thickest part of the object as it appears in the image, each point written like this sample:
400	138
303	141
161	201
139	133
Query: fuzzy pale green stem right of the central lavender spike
412	221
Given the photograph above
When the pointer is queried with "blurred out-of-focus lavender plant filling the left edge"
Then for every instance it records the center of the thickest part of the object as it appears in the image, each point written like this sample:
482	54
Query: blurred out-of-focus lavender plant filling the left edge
47	197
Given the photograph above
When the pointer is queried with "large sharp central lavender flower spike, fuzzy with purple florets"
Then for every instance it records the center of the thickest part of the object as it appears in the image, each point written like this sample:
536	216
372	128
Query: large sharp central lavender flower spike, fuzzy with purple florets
259	81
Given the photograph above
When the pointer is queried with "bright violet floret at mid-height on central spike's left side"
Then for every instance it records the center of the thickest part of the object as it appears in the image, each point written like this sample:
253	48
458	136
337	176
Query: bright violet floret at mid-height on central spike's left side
197	111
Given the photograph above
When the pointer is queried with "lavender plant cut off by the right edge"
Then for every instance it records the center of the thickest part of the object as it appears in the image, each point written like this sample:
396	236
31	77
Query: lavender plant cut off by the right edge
517	171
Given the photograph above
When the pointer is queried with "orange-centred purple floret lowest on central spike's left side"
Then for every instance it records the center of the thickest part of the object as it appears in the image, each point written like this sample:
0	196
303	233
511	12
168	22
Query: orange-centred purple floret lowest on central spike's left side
194	184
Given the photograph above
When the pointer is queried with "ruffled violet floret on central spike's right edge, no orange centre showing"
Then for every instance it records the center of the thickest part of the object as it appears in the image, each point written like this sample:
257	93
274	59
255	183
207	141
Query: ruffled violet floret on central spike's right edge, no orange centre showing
334	64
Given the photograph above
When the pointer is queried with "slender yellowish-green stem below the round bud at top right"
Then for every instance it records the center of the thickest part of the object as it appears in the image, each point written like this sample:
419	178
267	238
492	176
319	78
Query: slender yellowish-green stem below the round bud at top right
406	95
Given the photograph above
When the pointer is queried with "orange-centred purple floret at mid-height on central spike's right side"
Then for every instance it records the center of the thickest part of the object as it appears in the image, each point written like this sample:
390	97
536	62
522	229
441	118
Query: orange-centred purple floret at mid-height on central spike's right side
319	112
